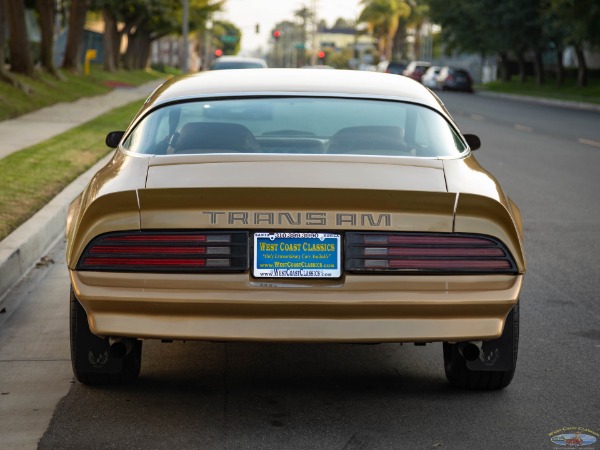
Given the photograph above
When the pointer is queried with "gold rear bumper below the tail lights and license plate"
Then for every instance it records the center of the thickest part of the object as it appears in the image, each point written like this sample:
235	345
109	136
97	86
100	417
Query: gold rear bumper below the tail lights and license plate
353	309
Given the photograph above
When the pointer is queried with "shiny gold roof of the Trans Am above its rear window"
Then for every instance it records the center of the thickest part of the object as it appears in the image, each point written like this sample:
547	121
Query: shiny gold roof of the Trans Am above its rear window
300	82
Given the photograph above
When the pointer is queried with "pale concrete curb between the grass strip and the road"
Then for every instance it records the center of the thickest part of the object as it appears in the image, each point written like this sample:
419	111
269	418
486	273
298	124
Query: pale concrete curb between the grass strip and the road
22	249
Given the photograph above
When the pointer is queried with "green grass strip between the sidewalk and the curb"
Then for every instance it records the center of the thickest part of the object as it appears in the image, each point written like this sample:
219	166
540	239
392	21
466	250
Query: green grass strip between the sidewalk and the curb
30	178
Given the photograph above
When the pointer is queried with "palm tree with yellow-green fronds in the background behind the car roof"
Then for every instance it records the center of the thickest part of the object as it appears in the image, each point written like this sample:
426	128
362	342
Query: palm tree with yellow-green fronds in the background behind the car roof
382	18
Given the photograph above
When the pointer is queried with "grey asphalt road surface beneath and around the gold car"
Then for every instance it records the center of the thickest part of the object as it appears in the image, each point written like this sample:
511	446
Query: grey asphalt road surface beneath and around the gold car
237	396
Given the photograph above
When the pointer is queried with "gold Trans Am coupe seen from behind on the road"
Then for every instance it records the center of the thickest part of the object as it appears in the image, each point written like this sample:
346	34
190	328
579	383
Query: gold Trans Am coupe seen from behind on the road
295	206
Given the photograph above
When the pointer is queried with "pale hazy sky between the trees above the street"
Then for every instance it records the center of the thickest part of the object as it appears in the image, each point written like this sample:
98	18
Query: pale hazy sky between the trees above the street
245	14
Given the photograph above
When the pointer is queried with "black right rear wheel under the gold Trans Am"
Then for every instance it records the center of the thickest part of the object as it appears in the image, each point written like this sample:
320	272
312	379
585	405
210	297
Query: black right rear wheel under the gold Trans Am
459	375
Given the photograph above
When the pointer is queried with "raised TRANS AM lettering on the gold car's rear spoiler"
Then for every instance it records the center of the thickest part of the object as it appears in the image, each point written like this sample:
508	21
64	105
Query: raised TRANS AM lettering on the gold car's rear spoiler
298	218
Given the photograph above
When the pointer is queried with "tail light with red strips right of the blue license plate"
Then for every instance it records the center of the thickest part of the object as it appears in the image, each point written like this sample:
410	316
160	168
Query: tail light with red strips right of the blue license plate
426	253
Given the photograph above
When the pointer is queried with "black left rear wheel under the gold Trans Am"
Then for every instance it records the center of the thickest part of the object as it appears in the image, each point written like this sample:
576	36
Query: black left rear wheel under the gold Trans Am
91	359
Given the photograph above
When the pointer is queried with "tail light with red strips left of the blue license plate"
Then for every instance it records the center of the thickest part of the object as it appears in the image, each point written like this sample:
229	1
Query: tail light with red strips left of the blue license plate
173	251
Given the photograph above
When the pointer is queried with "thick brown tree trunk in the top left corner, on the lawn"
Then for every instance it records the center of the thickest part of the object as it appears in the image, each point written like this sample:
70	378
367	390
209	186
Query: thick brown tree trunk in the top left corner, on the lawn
20	56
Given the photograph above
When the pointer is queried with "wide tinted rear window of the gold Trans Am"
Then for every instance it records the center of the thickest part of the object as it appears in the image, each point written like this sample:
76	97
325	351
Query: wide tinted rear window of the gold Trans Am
296	125
